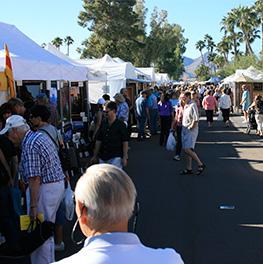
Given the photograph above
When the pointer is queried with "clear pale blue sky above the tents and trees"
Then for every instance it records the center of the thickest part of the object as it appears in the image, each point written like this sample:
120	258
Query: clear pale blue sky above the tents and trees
44	20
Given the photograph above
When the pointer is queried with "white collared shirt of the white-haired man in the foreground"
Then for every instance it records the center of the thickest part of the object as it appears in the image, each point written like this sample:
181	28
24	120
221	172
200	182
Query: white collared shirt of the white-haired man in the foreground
120	248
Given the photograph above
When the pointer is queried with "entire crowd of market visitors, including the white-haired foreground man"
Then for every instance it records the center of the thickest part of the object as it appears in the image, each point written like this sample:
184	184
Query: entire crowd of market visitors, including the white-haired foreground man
105	195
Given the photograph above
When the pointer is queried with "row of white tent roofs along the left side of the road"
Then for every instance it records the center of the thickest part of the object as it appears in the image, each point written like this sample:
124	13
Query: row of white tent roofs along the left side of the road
32	62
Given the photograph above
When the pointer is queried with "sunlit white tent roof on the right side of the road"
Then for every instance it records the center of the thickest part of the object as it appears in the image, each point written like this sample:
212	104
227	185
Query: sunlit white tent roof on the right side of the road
250	74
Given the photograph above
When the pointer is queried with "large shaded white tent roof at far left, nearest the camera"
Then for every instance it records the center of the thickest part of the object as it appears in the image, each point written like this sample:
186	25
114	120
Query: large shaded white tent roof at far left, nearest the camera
31	62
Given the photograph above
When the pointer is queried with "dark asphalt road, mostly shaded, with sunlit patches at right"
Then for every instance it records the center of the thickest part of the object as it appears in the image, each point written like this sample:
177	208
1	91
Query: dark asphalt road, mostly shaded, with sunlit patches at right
183	212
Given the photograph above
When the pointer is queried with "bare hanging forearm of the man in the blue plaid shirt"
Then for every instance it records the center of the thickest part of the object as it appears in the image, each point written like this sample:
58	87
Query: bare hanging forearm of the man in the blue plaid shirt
33	184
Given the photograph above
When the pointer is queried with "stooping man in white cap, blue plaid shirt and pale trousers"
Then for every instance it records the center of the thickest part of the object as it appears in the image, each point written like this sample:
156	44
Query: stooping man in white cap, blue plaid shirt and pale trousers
41	170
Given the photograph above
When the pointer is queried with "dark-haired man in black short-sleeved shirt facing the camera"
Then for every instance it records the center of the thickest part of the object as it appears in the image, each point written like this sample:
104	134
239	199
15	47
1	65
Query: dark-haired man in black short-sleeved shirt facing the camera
112	139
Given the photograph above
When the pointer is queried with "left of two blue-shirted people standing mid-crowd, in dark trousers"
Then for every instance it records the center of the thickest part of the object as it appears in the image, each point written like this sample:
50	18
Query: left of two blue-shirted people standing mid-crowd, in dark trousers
141	114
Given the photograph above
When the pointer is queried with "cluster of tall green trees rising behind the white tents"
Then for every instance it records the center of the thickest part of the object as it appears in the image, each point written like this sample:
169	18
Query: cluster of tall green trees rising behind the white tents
118	29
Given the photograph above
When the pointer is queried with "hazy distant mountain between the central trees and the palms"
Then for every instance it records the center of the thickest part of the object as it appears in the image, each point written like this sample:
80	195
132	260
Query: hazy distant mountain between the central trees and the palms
190	65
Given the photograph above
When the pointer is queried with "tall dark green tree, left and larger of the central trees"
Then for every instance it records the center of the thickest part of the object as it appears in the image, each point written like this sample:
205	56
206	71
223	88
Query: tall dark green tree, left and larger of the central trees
114	26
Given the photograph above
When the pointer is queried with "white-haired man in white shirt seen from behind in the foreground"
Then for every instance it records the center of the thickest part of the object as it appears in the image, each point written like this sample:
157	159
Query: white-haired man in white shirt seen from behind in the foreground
105	198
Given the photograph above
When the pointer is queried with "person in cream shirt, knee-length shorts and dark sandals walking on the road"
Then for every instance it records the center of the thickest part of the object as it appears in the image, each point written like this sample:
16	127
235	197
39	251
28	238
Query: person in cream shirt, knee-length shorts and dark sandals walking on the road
189	135
